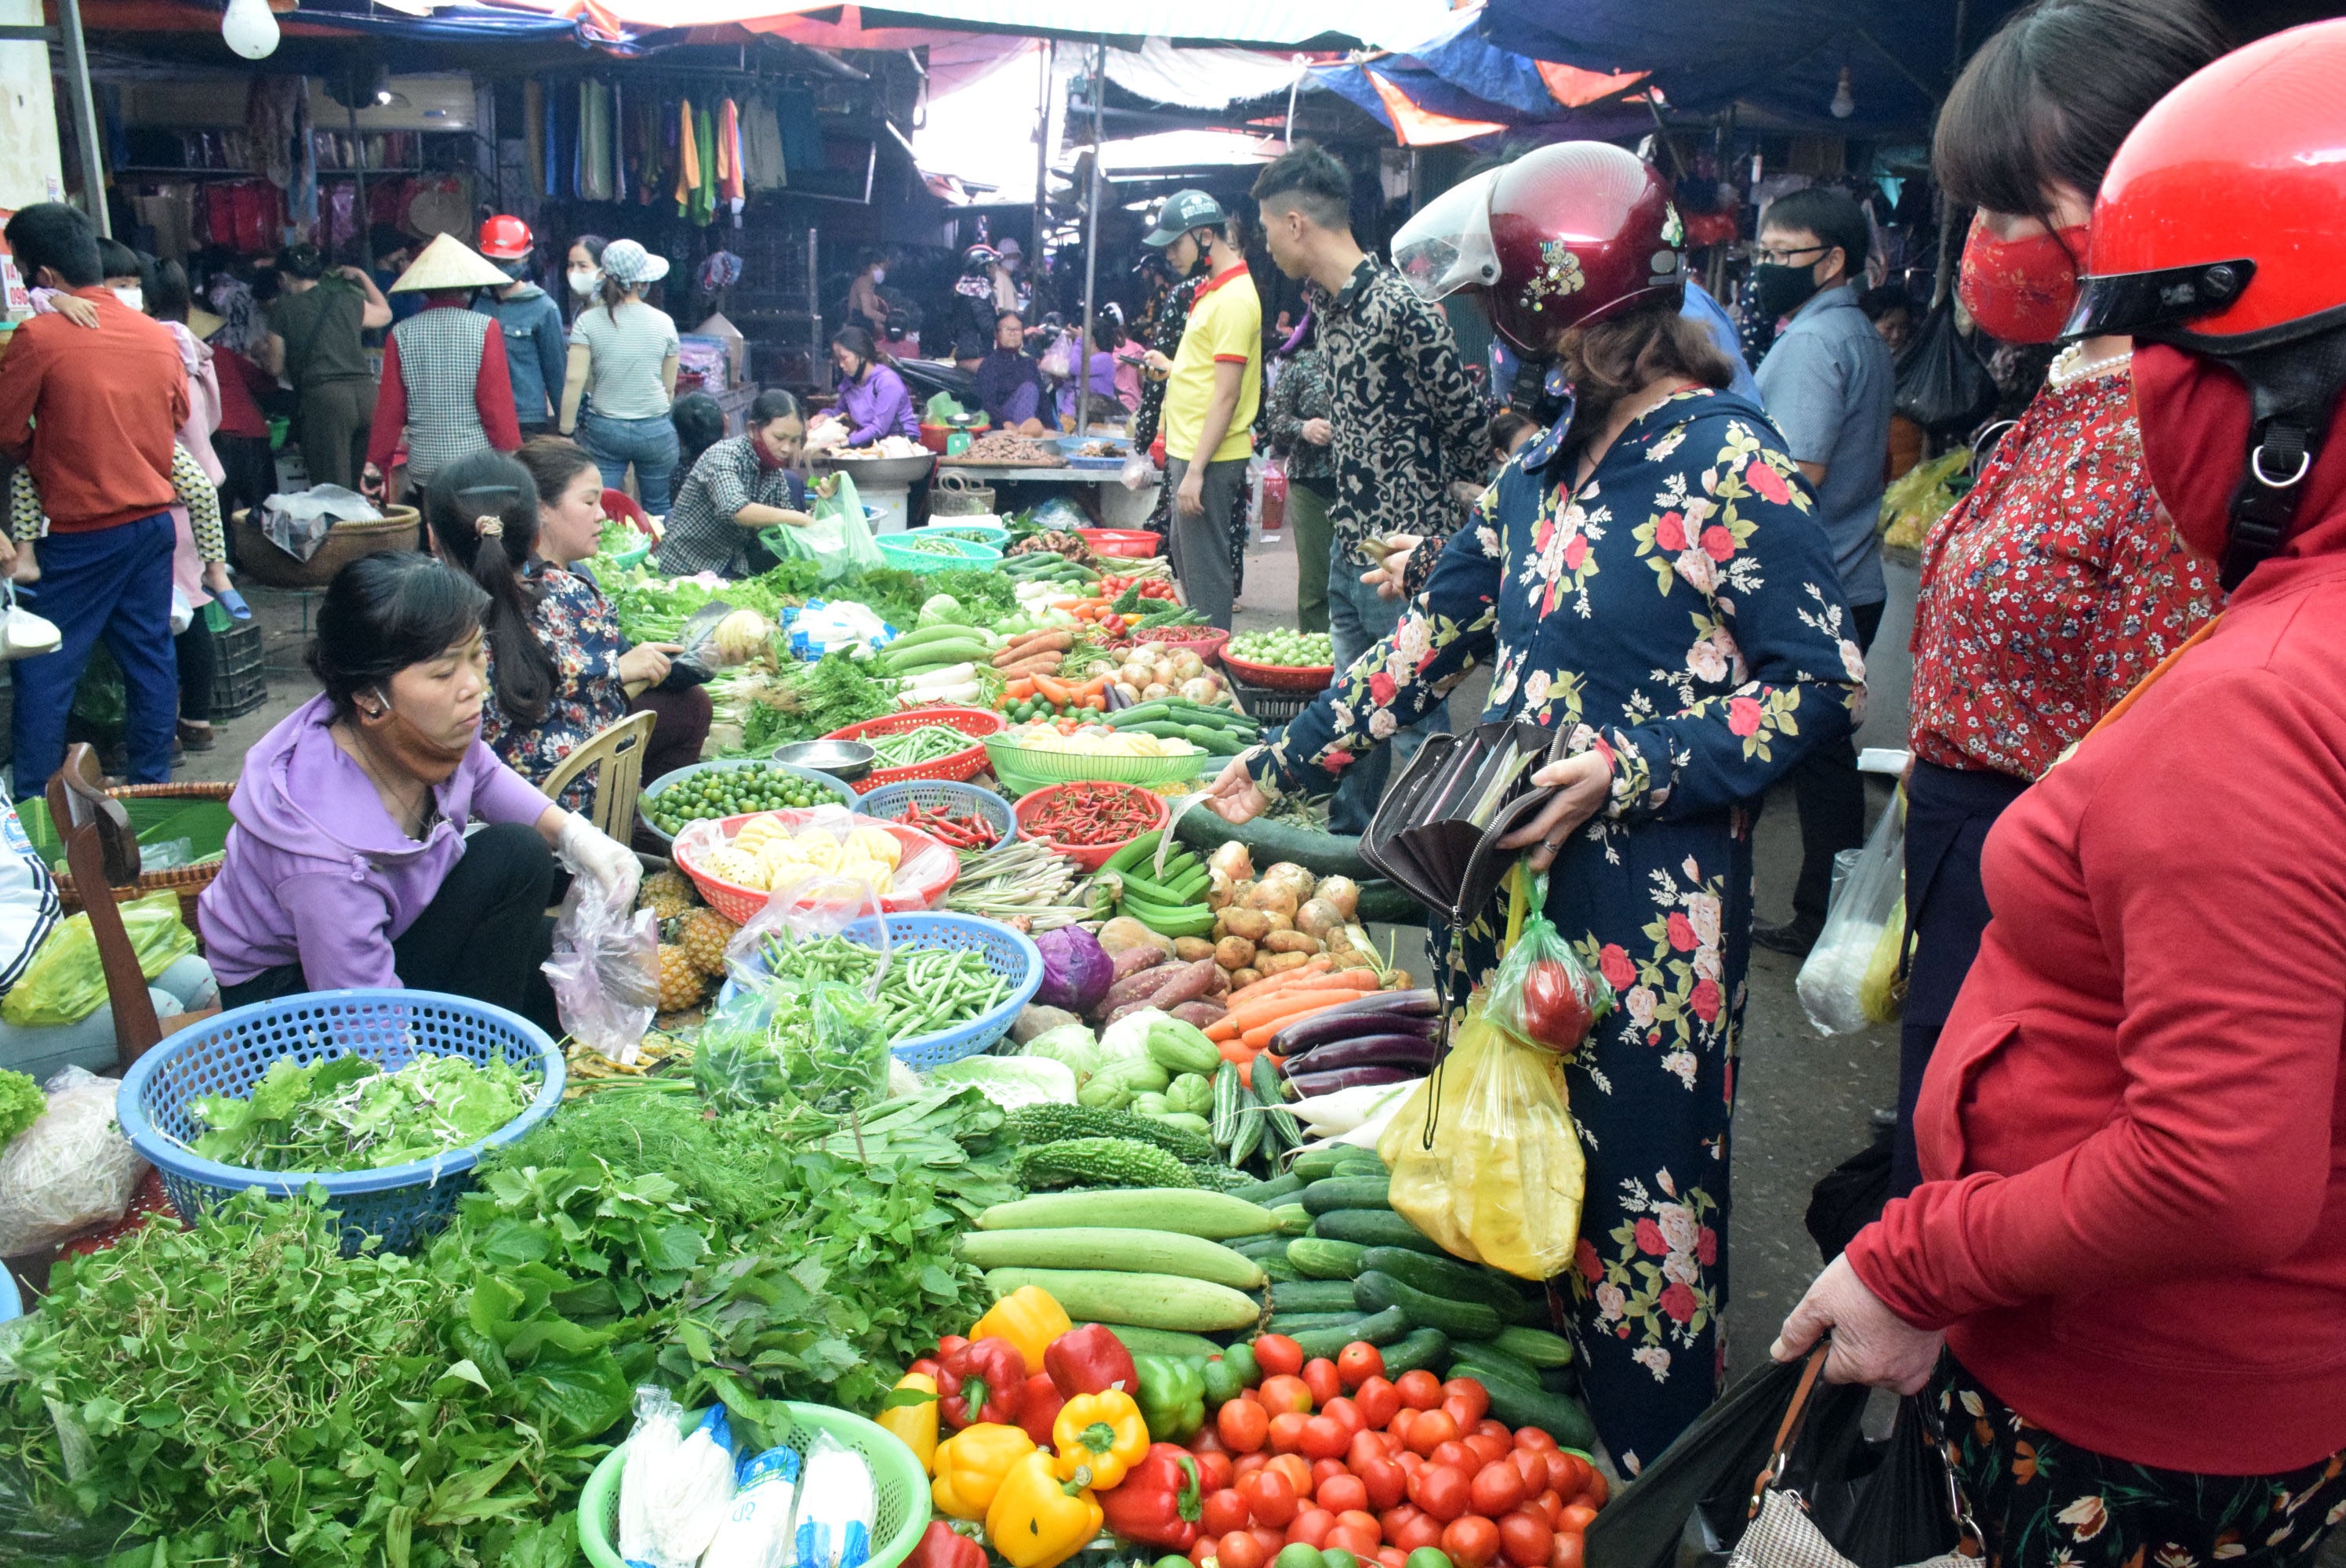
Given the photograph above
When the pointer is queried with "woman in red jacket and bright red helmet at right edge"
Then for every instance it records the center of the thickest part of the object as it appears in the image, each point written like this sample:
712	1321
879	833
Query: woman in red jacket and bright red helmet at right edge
2124	1273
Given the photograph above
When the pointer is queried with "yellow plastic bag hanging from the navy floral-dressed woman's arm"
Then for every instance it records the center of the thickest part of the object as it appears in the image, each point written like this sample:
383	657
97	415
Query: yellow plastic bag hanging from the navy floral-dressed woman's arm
1500	1177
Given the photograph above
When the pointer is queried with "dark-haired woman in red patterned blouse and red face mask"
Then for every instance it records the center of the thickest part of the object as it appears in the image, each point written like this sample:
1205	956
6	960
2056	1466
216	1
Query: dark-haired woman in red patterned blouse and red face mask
2059	581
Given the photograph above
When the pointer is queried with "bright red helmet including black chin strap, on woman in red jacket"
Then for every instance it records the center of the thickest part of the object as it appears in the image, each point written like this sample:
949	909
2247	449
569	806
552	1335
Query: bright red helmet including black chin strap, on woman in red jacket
2218	231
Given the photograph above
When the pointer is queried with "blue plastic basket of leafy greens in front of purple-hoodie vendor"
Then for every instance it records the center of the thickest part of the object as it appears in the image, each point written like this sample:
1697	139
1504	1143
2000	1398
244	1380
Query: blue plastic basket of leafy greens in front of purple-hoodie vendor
229	1055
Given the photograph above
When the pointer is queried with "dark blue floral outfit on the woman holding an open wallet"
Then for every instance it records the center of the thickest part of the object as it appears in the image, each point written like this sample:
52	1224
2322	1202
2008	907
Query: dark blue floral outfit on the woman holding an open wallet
1683	619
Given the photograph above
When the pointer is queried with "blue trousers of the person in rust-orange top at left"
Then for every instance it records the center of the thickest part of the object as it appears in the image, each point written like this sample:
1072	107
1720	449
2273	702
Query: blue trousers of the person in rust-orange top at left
111	583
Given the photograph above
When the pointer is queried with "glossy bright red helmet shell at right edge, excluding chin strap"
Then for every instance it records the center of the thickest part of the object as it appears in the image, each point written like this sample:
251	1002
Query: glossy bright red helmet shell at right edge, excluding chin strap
2223	217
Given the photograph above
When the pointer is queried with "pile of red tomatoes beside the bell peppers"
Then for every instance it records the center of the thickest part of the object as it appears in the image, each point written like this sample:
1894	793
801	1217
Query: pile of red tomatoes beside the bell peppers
1402	1473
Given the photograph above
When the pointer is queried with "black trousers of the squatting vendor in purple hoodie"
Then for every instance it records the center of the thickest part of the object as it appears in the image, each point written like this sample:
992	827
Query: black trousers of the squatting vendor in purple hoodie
482	935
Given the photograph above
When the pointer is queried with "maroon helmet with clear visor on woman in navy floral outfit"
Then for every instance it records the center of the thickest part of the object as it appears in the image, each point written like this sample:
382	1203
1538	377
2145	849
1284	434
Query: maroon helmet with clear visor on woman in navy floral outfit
1566	236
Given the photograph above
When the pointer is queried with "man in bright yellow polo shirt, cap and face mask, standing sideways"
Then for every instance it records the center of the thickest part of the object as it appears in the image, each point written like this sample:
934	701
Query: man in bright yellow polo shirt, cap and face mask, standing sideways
1214	388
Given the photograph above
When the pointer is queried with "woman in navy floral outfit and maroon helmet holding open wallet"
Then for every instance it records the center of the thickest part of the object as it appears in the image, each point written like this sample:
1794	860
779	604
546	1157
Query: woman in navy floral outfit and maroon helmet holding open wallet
1648	579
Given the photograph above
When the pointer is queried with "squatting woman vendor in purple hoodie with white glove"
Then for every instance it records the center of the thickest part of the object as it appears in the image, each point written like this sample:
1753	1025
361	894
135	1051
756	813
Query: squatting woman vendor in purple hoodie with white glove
348	863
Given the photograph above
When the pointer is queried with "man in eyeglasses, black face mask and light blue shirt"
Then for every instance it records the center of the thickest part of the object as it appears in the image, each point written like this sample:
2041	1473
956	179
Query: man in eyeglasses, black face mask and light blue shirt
1829	386
